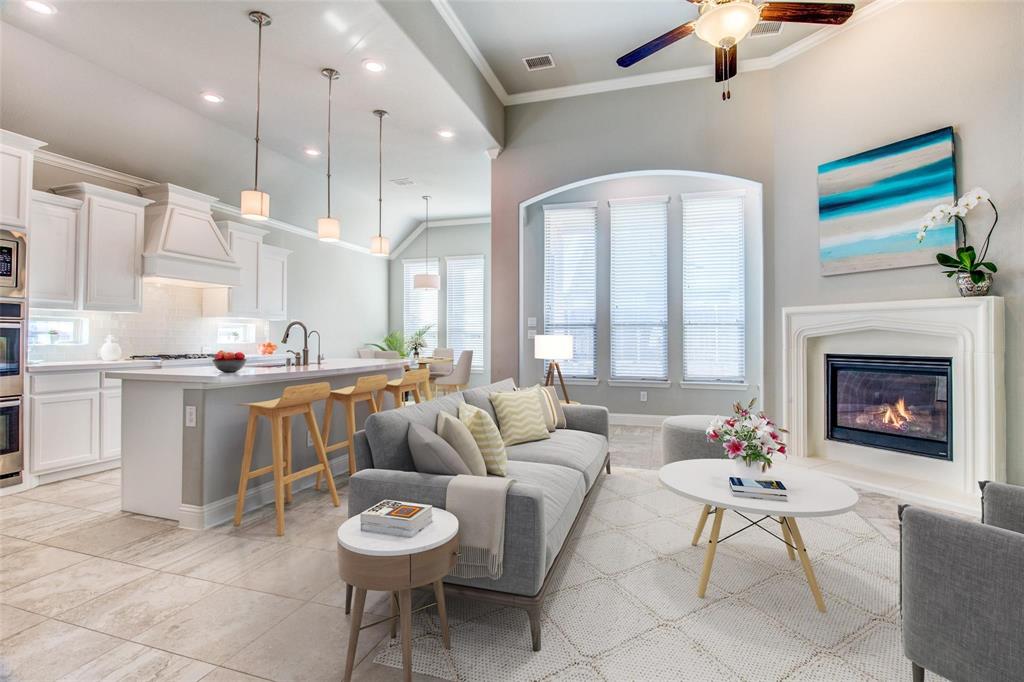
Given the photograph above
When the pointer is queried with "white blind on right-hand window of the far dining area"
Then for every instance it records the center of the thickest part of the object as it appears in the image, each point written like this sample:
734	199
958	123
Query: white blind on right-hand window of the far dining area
465	284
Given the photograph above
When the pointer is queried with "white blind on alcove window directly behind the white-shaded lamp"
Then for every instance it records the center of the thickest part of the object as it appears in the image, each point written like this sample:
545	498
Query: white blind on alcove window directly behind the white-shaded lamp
571	283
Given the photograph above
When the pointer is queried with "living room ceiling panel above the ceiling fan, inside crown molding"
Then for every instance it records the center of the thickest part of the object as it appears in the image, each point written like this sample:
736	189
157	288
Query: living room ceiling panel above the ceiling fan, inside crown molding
586	37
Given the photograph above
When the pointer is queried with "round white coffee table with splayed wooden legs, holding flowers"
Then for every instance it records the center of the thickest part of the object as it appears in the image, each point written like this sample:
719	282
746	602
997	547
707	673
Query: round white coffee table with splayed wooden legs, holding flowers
810	494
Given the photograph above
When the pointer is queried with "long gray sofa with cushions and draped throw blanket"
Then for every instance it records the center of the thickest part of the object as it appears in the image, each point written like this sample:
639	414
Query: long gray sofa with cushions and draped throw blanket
552	480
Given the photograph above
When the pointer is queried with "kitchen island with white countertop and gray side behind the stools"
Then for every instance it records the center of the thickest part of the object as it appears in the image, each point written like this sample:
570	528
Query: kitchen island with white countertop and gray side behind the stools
183	432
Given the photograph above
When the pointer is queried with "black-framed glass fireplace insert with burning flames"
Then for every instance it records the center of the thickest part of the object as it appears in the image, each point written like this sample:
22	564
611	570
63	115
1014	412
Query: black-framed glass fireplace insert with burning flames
892	403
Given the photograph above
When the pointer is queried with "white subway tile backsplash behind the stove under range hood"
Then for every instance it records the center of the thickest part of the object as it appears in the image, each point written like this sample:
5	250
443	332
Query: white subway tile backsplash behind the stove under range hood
172	322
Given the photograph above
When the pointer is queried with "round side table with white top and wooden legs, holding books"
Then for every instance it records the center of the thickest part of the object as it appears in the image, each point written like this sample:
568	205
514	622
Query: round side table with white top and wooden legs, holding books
391	564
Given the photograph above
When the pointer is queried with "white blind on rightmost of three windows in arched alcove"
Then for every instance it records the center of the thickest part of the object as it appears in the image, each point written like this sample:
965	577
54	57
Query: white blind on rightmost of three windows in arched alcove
714	323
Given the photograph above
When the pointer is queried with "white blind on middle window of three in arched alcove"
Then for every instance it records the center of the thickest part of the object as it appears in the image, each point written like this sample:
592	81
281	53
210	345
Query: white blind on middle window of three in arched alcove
639	289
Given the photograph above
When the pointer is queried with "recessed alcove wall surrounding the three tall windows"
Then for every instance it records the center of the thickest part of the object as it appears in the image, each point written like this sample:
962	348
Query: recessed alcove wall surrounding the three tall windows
662	400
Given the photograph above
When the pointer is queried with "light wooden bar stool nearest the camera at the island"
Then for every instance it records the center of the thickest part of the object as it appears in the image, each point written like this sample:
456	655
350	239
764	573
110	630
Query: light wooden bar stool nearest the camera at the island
294	401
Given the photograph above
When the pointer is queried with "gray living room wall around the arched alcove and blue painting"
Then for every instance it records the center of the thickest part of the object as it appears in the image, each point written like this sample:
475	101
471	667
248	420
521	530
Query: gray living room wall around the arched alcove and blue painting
877	82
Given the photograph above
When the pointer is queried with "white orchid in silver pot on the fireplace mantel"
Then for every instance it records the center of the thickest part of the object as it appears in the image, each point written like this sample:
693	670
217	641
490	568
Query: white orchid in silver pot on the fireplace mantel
973	273
